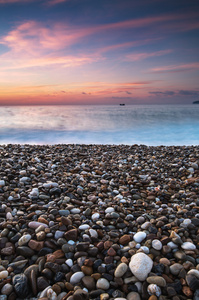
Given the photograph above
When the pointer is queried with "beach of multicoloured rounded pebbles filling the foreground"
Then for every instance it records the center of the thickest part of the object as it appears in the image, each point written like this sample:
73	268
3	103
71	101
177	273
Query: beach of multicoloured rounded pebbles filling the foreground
103	222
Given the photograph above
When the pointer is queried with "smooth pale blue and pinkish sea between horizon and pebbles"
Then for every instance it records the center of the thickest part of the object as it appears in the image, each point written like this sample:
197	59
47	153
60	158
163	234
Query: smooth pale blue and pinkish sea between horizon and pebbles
151	125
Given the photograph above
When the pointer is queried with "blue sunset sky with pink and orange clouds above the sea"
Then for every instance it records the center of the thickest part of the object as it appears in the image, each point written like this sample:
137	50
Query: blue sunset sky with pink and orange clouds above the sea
99	52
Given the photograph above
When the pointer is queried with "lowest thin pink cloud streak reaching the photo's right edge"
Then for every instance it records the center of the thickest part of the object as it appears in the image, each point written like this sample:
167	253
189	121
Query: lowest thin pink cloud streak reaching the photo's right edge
176	68
